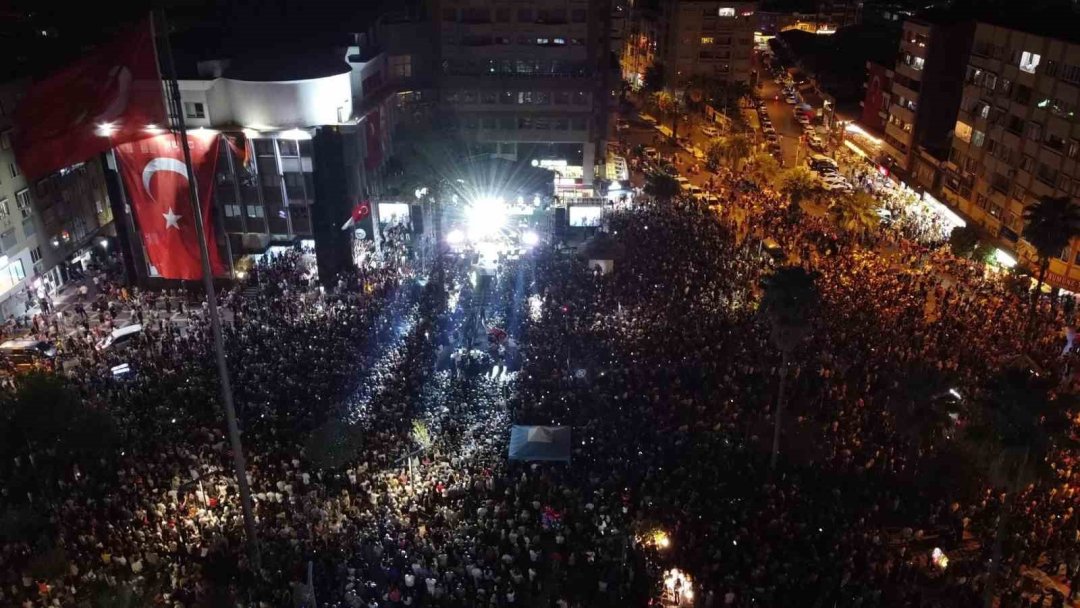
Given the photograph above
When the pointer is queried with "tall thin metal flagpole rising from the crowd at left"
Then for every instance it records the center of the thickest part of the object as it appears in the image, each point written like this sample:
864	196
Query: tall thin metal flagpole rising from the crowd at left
239	466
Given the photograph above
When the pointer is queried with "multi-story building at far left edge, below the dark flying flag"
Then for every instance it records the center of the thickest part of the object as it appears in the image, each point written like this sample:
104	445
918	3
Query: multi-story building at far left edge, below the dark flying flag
49	226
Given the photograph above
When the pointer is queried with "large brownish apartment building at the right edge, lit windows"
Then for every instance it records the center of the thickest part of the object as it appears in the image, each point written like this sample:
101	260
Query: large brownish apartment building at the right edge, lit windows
1018	137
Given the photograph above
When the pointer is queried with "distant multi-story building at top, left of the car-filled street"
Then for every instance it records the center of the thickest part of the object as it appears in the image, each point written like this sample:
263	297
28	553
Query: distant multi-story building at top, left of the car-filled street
707	39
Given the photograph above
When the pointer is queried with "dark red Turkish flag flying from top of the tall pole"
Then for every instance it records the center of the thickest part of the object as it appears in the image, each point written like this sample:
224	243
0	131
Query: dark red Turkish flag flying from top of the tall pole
105	99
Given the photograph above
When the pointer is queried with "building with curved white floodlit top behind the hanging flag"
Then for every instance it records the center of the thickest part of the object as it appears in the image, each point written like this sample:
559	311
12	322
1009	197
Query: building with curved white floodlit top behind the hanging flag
265	192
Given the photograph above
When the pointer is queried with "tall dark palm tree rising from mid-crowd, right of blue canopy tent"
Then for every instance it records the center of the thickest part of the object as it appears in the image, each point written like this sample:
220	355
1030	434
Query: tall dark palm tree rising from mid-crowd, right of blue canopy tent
790	299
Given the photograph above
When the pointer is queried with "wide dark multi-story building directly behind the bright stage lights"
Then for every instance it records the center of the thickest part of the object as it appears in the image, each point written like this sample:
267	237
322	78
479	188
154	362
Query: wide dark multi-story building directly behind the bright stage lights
531	82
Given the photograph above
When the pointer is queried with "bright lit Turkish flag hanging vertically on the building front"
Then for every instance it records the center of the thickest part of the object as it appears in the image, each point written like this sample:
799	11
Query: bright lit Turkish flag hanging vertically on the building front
156	180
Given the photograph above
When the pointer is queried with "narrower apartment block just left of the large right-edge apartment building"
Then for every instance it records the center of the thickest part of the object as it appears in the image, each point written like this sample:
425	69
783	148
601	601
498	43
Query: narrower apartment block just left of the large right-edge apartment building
926	88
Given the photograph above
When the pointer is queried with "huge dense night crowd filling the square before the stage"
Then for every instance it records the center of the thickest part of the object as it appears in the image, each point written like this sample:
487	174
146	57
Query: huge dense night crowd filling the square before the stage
379	457
